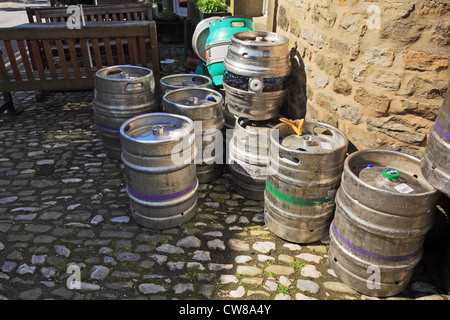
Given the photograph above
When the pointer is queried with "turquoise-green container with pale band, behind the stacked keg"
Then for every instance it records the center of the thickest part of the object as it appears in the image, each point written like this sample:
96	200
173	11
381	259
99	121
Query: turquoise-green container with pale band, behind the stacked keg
220	32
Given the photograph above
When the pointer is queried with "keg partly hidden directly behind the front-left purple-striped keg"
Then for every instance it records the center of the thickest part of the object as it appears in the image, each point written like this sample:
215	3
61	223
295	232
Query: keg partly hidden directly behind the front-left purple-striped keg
204	107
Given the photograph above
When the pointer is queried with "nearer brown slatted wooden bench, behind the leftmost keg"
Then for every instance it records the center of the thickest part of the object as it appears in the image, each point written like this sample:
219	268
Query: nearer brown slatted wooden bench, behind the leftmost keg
51	57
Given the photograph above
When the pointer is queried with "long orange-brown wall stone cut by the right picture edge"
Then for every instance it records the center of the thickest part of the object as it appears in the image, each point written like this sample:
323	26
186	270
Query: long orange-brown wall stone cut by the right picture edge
417	60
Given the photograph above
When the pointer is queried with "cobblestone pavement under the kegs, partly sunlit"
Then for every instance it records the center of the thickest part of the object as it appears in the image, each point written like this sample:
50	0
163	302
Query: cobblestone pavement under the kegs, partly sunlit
63	202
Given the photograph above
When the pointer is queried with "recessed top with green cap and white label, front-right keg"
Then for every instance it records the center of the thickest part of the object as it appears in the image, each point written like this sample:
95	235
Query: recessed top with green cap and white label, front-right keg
388	171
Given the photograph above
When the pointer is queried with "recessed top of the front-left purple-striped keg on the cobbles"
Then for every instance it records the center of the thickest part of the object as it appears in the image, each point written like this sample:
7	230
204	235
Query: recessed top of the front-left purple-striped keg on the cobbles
157	127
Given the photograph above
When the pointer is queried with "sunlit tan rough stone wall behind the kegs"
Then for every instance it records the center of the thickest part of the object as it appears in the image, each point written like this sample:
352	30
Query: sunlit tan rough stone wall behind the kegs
377	70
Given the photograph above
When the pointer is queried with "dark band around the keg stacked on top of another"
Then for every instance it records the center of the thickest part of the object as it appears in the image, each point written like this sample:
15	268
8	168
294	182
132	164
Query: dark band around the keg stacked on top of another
241	82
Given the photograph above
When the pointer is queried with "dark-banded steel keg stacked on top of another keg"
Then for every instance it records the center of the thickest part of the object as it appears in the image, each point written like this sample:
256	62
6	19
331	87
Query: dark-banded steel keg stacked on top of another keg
255	76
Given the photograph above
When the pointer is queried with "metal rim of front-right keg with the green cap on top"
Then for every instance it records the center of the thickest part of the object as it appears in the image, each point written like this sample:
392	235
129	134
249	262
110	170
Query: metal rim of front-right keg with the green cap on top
353	176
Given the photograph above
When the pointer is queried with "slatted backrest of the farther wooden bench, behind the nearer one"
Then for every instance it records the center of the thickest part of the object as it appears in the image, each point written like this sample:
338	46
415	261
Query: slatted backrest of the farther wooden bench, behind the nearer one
117	12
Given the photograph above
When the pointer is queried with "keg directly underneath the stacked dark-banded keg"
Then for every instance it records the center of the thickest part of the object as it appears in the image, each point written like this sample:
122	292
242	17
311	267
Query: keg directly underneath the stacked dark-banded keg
248	156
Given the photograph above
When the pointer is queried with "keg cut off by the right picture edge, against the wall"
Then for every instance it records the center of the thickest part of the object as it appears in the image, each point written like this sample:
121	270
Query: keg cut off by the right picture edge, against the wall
435	162
